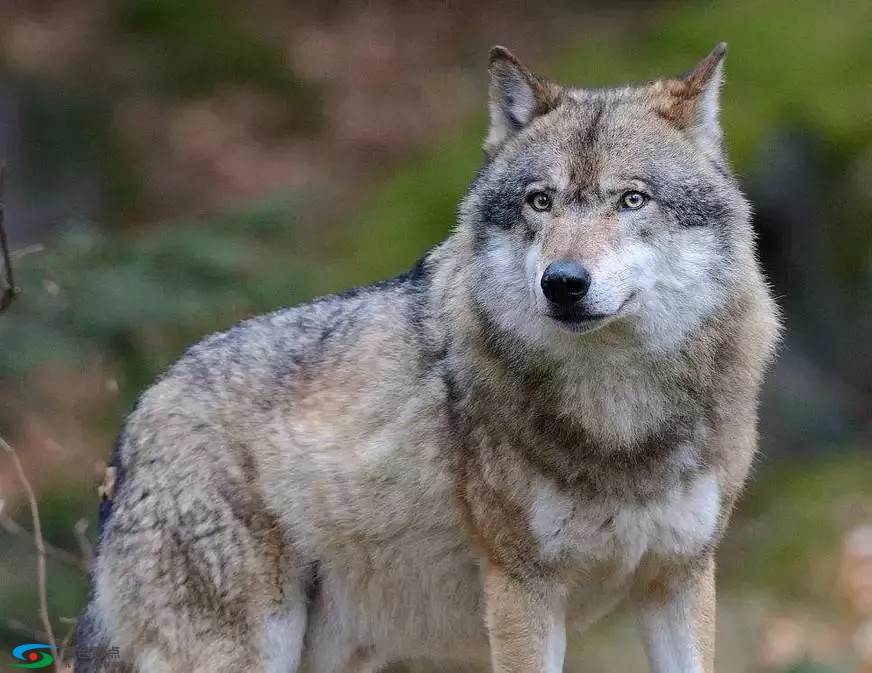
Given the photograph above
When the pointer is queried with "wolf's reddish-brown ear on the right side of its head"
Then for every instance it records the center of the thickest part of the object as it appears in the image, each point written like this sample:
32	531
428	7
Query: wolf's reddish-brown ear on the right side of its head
692	102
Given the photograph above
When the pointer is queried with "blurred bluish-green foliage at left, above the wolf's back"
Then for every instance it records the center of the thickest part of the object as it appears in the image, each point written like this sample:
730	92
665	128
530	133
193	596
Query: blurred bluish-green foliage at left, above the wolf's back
144	297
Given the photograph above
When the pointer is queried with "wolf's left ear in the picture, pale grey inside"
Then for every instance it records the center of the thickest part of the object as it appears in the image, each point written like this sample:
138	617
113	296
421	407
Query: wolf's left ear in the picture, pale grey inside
517	96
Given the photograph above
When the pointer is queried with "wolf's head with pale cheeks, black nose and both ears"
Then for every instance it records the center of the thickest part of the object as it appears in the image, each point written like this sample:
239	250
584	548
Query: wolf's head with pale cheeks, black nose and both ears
608	210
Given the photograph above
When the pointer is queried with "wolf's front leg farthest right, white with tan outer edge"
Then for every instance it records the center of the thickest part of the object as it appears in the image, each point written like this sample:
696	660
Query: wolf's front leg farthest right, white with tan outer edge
675	611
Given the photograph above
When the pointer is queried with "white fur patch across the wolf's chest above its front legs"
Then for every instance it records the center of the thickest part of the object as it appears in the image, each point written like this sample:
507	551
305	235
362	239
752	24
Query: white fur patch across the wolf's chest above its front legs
677	524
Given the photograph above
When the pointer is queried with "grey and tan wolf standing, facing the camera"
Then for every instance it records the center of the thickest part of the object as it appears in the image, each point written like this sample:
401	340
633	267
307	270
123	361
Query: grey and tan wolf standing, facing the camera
553	411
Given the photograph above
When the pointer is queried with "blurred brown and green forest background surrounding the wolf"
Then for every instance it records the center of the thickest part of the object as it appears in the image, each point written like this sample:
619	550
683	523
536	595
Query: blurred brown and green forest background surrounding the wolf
173	166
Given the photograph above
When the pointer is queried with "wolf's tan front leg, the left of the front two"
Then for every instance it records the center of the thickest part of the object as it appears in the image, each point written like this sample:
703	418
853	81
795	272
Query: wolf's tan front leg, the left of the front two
525	622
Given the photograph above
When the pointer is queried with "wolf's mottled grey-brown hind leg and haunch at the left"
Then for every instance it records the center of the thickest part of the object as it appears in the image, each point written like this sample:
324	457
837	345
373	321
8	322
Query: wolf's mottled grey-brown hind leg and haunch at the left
195	574
